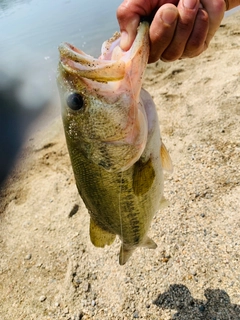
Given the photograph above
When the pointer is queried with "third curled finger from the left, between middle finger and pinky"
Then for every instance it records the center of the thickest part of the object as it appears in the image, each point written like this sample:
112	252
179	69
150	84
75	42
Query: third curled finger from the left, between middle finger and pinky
196	42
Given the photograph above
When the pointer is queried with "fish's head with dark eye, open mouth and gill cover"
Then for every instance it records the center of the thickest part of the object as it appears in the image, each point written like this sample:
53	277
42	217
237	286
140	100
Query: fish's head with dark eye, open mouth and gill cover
102	111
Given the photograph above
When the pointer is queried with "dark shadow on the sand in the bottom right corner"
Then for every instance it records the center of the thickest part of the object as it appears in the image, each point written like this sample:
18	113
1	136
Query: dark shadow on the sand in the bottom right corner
217	306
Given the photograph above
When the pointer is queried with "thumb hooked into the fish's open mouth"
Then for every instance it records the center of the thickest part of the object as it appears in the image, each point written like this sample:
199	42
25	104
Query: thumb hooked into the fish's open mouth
129	14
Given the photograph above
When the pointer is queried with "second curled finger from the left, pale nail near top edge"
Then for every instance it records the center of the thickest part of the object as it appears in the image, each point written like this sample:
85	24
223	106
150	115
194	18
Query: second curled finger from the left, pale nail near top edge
188	10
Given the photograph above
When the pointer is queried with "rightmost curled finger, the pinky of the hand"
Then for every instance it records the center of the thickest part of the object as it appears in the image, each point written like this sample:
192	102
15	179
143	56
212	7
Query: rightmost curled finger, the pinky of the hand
215	10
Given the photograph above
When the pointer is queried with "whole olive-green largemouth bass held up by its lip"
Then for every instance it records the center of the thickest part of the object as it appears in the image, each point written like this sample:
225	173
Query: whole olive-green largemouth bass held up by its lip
113	137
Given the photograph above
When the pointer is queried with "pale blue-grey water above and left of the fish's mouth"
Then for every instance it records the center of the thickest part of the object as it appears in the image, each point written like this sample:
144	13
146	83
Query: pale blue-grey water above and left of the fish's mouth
31	31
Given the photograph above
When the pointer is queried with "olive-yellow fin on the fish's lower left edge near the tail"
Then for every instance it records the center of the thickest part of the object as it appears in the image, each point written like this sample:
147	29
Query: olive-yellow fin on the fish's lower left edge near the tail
100	237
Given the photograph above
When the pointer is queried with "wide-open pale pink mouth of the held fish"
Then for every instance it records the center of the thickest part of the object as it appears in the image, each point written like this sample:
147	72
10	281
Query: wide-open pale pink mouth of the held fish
110	66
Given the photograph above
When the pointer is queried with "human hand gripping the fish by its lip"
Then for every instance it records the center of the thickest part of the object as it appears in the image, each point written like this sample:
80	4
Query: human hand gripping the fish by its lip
179	28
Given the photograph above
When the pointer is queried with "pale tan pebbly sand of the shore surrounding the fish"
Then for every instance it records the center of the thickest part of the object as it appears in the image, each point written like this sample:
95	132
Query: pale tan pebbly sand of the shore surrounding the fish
50	270
